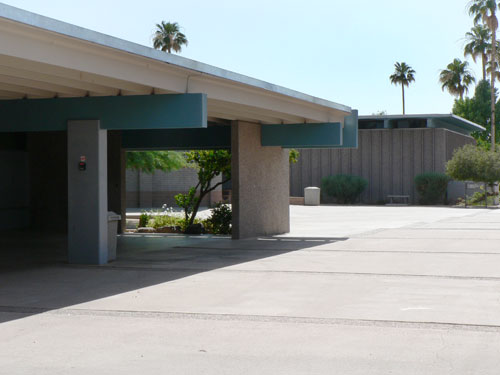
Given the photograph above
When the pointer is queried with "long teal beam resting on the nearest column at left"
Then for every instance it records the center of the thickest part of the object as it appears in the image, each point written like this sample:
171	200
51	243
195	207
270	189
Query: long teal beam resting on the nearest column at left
170	111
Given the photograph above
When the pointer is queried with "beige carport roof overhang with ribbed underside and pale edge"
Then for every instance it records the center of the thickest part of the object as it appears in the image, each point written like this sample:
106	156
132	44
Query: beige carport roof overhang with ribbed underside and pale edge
44	58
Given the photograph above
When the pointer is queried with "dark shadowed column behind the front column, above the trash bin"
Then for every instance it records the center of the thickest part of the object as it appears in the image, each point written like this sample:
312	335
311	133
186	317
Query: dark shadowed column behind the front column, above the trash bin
117	197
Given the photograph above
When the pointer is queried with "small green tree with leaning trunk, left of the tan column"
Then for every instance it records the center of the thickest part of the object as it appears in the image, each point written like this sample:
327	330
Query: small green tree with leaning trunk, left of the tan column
210	164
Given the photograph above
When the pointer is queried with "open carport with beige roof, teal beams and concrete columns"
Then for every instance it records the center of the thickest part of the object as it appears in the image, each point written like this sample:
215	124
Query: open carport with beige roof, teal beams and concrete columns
74	100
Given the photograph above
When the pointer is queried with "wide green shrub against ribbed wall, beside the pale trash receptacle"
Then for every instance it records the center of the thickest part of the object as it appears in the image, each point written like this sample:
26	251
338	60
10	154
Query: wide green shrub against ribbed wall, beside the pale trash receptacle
344	188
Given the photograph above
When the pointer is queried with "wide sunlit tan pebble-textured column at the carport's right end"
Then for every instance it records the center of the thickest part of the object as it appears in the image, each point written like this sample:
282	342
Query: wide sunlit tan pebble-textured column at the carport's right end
260	184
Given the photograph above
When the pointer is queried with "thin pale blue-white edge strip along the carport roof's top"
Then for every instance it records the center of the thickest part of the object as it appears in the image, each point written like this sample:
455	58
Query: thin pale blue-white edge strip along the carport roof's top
70	30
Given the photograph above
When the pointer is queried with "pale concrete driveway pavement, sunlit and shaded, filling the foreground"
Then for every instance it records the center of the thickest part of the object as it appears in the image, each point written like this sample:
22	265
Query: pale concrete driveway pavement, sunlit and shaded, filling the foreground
352	290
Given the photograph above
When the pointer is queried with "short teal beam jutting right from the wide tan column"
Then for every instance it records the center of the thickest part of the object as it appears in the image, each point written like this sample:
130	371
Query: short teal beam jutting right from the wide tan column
302	135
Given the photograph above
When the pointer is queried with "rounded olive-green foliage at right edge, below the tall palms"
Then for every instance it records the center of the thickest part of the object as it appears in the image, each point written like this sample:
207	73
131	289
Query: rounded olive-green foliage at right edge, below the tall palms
470	163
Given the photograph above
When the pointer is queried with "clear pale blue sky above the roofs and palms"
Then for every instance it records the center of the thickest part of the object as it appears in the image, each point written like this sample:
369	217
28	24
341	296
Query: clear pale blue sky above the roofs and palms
342	51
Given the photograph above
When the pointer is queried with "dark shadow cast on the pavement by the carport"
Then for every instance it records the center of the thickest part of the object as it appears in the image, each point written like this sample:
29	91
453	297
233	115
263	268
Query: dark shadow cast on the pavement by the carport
36	278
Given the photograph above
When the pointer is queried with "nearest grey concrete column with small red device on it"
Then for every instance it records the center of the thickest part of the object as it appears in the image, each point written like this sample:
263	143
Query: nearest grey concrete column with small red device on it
87	193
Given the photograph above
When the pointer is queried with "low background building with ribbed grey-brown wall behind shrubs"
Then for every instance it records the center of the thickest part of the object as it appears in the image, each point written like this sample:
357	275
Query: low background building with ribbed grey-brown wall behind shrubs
392	150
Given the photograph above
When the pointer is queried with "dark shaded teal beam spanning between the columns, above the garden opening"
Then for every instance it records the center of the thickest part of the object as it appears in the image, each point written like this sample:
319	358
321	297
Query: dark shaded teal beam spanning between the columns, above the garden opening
213	137
